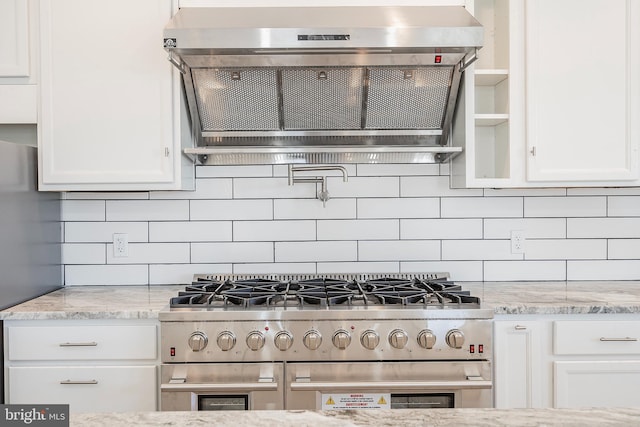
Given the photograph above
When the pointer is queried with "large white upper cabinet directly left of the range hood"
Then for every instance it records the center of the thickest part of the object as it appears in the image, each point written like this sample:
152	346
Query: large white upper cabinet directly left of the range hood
109	115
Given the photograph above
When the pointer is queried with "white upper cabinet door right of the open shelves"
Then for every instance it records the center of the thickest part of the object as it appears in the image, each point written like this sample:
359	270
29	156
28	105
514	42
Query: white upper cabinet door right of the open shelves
582	90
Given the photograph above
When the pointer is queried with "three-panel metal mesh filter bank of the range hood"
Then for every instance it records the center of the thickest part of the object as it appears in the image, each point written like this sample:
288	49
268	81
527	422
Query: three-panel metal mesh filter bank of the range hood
339	98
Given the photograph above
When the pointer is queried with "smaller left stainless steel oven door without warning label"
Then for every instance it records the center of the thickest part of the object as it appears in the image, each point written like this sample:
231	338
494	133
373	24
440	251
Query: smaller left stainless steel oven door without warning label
221	386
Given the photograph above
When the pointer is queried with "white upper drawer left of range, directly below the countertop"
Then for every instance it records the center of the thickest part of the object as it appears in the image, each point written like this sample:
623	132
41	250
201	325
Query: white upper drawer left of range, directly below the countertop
82	342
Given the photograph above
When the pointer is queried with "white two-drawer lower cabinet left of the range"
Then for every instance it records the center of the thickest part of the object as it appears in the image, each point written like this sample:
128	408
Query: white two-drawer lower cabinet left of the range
94	366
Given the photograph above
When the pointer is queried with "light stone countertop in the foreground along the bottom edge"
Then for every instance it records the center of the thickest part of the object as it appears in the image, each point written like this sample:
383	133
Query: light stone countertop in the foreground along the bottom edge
392	418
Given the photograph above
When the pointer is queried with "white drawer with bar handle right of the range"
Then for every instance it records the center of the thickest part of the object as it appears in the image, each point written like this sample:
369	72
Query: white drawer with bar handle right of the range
596	337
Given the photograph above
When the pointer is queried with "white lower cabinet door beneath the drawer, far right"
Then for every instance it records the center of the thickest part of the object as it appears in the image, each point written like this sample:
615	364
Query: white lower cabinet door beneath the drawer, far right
597	384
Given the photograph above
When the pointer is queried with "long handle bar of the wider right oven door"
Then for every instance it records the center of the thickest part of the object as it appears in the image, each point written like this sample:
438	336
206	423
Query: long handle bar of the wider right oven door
390	385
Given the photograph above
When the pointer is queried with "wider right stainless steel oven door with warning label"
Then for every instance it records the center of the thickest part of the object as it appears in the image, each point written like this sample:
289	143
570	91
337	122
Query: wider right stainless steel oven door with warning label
388	385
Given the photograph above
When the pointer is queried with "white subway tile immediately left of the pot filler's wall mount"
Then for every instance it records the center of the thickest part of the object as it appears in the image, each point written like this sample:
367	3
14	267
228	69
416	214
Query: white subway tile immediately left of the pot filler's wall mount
271	188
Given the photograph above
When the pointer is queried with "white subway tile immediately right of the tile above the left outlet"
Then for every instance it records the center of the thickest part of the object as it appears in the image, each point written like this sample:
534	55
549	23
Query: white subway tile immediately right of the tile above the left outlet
192	231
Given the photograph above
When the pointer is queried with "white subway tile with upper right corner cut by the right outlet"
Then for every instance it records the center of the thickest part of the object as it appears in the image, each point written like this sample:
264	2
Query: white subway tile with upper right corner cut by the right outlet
467	250
